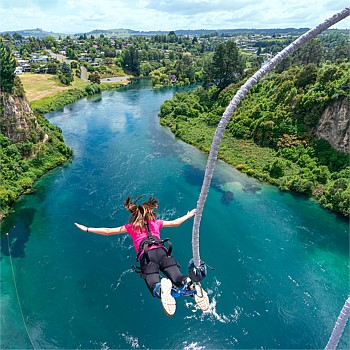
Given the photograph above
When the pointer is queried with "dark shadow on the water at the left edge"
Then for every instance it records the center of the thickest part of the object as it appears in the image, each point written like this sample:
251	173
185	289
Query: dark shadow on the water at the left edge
19	232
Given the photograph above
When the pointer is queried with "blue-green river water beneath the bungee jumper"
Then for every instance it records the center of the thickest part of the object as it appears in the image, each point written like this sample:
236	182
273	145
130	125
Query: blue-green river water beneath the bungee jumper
282	262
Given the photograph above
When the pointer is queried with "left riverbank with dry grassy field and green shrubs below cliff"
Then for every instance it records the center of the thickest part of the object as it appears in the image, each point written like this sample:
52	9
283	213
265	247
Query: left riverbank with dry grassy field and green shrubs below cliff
33	160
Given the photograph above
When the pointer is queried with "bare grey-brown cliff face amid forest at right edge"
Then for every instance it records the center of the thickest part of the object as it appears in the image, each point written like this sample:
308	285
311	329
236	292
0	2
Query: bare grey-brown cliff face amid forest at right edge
334	125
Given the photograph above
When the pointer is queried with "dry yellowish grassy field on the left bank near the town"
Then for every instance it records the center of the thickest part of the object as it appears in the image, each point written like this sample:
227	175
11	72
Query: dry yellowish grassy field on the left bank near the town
38	86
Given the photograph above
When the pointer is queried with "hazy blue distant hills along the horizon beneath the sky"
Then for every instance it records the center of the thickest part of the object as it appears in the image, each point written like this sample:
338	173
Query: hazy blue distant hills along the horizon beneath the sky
123	33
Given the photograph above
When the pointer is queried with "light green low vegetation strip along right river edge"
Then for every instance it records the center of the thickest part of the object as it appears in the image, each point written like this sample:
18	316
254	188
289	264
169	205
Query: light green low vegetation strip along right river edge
260	163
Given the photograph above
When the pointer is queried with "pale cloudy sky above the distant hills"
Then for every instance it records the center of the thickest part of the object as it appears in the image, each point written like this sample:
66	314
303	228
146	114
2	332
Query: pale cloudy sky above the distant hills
82	16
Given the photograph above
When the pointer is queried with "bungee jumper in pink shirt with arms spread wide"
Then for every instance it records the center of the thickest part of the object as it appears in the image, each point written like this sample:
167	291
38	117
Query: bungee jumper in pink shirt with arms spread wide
154	257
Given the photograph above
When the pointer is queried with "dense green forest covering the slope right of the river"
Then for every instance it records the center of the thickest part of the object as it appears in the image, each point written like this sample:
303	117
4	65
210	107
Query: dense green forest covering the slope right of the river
272	134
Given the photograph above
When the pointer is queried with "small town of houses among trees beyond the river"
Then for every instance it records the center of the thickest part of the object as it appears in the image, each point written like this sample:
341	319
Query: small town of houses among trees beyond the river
110	55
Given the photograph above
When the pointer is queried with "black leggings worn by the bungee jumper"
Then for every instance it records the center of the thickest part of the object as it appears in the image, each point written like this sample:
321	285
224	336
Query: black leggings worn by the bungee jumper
158	260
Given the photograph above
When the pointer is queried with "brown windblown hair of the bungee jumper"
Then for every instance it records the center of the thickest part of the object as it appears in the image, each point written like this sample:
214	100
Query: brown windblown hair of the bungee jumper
140	214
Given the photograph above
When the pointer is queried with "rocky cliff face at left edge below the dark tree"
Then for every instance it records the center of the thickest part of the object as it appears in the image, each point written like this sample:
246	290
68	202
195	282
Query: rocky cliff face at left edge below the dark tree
17	119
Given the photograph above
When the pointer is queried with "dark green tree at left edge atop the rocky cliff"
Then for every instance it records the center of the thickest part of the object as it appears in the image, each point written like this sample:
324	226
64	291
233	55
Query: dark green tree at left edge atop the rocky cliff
7	69
